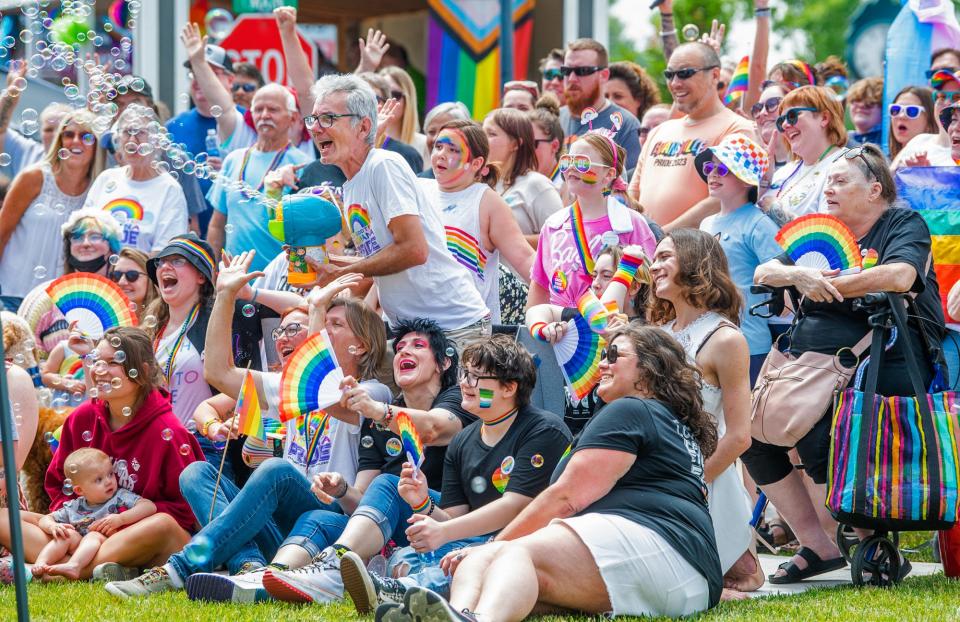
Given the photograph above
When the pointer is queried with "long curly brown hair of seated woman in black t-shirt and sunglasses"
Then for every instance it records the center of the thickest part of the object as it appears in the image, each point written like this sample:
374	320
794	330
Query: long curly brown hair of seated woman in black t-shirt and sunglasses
666	375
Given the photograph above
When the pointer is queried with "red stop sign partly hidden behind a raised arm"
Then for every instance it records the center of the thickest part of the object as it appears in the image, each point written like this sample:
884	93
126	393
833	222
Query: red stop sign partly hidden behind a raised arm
255	39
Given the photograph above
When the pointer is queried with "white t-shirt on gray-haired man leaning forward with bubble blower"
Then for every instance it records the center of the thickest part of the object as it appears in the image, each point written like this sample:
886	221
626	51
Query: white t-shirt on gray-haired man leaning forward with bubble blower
440	289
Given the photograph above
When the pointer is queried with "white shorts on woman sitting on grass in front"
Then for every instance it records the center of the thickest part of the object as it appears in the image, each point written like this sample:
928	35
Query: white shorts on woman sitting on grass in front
644	575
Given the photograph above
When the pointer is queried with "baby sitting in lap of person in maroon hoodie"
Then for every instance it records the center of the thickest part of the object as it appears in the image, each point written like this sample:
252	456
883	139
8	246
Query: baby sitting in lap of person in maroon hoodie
100	510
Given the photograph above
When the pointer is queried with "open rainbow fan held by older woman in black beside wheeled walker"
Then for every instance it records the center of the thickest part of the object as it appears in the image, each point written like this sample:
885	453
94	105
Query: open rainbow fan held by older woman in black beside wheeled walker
820	241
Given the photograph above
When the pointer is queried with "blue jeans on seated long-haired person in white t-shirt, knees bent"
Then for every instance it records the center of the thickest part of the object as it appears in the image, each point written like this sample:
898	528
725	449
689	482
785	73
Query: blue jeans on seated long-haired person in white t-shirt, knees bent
249	523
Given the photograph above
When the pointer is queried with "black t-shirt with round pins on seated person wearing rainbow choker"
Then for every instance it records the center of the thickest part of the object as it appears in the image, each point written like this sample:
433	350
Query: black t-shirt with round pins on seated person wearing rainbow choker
476	474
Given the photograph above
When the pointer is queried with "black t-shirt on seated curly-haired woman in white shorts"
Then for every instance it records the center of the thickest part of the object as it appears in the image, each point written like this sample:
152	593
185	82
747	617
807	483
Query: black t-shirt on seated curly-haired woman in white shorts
664	488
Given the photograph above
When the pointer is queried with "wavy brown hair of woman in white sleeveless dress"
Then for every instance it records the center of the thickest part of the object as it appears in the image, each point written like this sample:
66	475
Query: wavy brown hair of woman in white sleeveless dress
704	276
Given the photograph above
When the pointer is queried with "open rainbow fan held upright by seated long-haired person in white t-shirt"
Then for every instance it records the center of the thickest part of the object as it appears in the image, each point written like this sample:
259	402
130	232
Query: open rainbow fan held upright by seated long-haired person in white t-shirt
311	378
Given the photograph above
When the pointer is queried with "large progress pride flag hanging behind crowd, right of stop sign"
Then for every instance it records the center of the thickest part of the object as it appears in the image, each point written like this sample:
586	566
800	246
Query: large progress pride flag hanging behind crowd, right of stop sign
463	53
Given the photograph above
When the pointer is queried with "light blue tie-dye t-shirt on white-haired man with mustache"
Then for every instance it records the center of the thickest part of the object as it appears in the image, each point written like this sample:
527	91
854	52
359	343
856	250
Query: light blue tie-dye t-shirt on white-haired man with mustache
246	218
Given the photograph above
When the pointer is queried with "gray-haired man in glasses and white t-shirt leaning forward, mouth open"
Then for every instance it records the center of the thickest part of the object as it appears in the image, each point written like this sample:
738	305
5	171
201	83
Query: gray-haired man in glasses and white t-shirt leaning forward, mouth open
396	230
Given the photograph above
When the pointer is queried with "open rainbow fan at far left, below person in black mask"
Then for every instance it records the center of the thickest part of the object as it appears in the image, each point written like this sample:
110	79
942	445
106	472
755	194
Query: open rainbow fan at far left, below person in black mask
94	302
